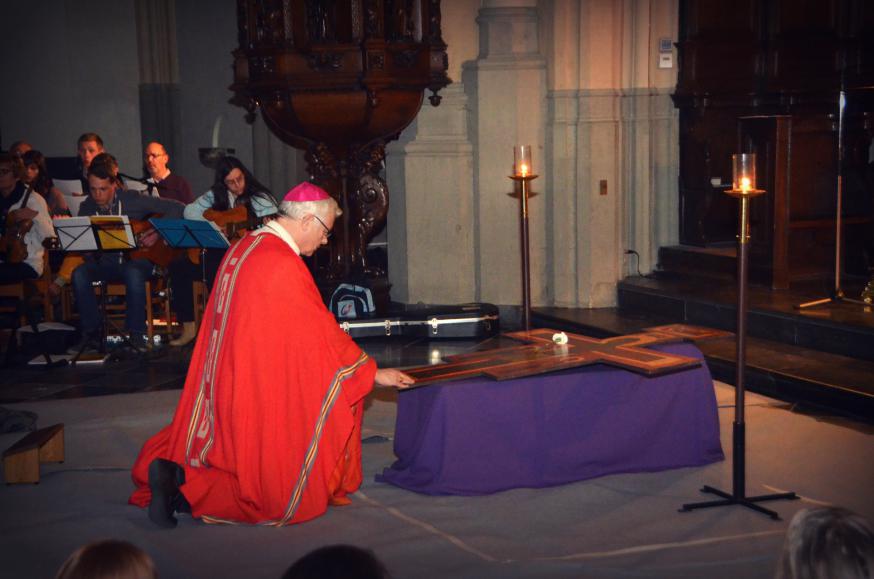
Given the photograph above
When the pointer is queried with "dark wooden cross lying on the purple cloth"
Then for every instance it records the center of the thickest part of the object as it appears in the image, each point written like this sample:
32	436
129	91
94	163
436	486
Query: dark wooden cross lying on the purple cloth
542	354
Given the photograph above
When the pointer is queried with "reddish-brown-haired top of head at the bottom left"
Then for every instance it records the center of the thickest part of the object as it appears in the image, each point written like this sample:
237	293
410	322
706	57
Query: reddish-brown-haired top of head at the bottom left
108	559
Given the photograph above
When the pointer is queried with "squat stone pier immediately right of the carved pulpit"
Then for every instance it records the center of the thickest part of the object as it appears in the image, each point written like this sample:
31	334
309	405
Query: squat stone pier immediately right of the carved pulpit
431	209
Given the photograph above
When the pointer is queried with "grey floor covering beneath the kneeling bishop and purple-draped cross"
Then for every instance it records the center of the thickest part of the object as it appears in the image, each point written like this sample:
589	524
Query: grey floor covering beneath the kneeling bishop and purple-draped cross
617	526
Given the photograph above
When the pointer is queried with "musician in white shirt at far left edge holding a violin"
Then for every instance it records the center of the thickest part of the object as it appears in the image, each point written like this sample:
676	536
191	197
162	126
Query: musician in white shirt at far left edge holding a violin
25	223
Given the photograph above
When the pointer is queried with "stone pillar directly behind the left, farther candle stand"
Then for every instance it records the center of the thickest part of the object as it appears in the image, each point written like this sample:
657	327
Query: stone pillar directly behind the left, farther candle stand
507	90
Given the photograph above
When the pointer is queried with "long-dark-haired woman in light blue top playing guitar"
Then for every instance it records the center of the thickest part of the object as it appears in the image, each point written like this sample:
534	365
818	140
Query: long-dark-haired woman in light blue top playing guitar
237	201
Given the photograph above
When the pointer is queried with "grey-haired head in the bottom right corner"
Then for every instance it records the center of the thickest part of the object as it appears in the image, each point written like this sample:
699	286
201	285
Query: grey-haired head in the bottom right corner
827	543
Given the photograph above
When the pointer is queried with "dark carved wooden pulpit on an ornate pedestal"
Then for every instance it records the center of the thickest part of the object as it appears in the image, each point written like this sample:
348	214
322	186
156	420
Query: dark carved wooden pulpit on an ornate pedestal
339	79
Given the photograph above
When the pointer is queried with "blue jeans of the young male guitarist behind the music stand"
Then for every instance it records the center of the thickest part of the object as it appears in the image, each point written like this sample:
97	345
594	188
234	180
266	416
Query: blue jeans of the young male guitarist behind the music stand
133	273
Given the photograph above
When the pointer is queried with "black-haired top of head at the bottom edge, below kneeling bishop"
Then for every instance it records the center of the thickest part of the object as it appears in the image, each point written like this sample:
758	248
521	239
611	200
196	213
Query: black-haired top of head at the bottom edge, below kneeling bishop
338	562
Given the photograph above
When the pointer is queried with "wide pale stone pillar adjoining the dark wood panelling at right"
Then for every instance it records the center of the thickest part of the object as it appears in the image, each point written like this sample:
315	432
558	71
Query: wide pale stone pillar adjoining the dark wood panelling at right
611	145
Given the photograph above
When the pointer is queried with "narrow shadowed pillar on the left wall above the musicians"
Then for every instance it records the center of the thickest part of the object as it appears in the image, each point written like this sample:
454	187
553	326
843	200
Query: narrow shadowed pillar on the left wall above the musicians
160	110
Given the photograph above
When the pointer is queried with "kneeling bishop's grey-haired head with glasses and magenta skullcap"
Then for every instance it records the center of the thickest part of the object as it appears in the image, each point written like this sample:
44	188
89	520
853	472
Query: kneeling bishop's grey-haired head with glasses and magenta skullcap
309	214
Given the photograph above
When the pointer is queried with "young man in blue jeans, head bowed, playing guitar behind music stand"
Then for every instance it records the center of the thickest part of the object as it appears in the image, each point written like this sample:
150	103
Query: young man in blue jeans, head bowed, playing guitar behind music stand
107	197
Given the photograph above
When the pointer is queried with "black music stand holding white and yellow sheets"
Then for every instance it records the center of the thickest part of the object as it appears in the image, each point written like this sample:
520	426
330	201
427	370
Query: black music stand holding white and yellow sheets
97	233
